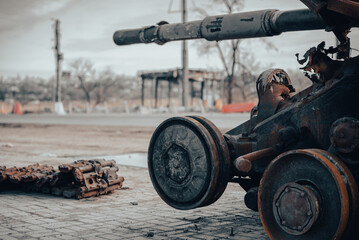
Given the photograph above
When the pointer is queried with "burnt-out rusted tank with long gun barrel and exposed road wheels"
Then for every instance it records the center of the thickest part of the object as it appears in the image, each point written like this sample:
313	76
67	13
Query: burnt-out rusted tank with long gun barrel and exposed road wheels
297	157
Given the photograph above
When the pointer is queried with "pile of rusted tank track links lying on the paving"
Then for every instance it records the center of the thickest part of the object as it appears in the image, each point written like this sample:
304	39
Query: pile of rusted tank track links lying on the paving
81	179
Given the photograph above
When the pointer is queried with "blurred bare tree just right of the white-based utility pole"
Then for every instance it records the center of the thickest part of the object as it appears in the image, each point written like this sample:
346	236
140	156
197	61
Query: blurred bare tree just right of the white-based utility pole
84	72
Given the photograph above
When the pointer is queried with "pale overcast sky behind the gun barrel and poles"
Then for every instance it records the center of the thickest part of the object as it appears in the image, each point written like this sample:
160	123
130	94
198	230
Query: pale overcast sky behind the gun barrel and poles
88	25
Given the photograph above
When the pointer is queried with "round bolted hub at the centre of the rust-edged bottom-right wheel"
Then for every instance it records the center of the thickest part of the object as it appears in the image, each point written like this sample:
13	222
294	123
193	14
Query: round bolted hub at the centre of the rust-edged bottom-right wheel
295	208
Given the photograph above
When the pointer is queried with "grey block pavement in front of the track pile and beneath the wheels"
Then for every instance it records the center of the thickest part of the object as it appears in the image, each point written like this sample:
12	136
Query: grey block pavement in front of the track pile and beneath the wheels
133	213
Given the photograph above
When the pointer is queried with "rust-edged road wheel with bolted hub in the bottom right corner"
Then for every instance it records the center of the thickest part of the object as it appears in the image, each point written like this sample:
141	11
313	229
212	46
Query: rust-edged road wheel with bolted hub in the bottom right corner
307	194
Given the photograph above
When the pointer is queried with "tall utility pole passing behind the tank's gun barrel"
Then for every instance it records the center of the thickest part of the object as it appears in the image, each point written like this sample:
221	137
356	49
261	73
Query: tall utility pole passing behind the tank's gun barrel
185	83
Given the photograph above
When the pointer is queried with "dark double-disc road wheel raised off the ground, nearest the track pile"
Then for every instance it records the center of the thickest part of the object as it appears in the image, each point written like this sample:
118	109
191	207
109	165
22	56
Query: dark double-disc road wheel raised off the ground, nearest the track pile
183	163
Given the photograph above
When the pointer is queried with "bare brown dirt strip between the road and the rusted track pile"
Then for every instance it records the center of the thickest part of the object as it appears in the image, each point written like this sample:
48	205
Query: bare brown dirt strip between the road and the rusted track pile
23	144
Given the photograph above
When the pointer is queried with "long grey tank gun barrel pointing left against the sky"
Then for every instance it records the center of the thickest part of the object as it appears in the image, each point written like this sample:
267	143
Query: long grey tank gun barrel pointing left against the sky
231	26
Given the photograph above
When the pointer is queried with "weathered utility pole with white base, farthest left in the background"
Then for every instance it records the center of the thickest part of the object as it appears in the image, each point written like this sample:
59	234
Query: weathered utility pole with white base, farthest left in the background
59	108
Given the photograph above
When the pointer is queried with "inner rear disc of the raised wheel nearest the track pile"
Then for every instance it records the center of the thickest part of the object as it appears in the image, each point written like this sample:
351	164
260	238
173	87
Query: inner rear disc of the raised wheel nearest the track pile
225	173
